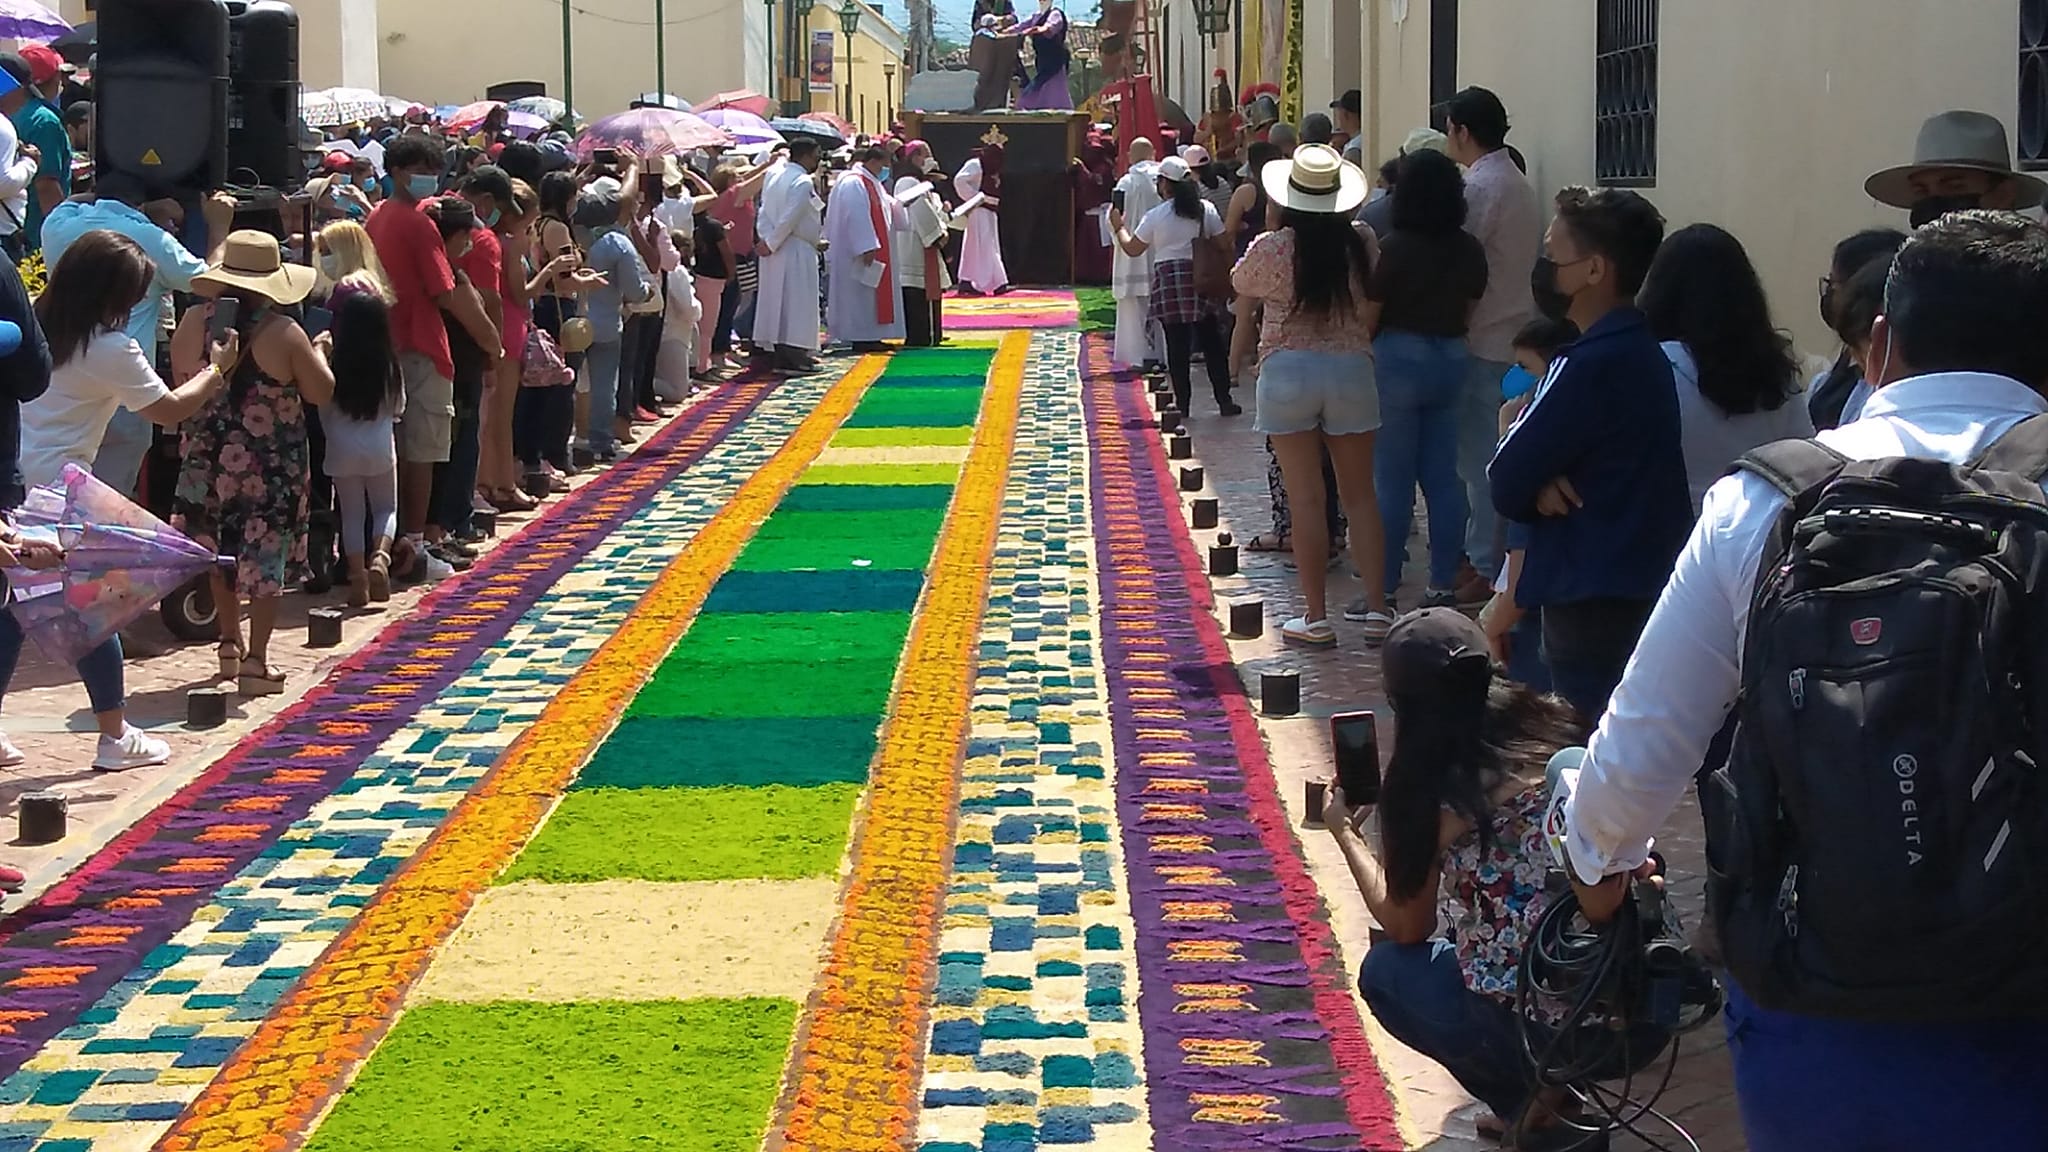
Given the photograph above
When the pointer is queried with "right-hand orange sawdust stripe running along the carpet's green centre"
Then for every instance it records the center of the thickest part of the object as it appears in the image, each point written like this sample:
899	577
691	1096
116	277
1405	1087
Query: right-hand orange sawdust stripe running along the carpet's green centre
855	1069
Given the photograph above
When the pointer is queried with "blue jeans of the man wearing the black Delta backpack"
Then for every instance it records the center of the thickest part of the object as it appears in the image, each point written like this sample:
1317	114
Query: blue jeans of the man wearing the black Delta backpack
1811	1083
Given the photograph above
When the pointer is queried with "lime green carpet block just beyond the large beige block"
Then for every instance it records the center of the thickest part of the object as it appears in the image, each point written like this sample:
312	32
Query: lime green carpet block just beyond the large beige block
671	835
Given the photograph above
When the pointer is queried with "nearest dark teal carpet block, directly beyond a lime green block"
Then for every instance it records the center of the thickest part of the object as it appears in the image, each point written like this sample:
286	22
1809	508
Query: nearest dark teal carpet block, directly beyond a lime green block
722	753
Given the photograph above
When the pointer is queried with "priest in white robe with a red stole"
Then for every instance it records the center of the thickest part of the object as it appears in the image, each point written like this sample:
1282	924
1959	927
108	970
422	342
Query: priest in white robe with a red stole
865	304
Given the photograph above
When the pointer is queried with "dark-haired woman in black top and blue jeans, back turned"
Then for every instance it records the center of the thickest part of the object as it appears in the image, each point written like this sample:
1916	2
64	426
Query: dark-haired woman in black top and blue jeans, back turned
1424	290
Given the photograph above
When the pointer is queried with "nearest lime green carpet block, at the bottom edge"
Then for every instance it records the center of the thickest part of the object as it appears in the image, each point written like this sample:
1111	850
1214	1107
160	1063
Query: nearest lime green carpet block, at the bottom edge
568	1079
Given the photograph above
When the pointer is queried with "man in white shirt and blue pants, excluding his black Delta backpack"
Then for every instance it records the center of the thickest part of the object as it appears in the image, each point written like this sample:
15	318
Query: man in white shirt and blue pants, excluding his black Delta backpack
1963	360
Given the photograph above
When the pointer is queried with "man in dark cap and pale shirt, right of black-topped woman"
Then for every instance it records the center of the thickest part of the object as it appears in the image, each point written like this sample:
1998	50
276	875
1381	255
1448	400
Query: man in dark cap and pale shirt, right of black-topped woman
1506	216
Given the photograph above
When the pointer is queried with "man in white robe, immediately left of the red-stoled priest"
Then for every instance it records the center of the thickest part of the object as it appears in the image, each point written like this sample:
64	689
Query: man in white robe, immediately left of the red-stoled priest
792	227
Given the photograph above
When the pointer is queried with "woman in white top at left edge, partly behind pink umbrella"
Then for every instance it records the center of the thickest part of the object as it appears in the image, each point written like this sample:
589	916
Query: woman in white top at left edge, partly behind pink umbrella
95	370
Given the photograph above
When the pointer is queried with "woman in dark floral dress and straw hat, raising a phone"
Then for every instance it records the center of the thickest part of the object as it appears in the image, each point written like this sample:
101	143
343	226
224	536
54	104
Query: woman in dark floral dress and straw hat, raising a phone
245	472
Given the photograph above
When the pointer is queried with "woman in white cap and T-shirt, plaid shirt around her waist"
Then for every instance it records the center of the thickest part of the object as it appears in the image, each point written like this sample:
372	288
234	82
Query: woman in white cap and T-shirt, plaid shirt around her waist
1170	235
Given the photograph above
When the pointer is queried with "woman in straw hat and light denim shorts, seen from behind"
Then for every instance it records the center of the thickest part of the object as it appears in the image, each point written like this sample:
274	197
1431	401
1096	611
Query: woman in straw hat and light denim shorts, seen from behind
1316	372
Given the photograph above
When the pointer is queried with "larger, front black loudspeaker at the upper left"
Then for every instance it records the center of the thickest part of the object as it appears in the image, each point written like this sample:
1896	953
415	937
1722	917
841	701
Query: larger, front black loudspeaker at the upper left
161	97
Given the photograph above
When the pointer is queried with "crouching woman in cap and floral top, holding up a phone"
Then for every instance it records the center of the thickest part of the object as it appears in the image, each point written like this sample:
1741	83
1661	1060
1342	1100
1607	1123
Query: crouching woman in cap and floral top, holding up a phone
1461	844
